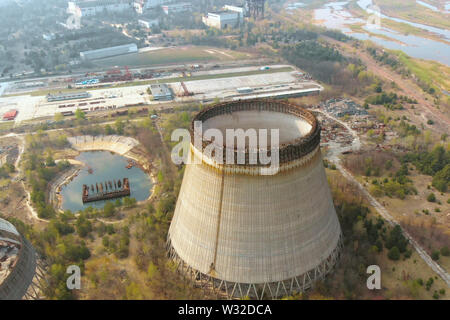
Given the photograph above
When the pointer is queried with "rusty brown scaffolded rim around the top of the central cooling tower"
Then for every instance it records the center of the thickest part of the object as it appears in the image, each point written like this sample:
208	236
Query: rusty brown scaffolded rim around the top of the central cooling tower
288	152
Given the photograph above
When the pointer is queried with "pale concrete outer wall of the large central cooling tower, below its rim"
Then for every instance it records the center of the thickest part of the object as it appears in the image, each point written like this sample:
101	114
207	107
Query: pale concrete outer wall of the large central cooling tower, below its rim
270	228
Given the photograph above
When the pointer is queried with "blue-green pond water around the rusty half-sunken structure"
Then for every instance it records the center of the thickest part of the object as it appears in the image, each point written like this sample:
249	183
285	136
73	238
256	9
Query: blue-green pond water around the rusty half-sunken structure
106	166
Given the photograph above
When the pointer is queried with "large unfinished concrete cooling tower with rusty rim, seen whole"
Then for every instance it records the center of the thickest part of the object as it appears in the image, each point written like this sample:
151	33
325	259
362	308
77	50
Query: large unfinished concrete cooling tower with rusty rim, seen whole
242	233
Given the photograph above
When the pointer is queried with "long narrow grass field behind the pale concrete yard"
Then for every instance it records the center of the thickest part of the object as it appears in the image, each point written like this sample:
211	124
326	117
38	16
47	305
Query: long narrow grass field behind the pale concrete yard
172	55
